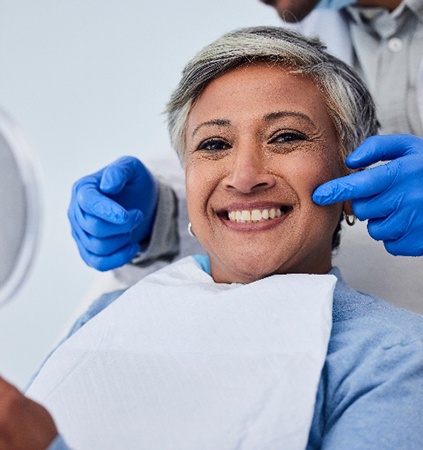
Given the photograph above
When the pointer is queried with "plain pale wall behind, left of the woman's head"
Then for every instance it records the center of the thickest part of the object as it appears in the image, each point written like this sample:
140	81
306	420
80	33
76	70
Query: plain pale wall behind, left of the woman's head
87	81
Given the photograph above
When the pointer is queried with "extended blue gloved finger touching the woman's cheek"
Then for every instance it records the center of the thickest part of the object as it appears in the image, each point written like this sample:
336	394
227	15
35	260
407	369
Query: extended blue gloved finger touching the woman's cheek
366	183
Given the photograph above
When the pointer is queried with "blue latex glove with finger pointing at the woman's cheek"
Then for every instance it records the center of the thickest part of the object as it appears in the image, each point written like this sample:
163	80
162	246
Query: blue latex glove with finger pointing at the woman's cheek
390	196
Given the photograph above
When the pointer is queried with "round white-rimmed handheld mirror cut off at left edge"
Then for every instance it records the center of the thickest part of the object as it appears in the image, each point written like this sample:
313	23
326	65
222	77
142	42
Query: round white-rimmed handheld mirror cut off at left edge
19	207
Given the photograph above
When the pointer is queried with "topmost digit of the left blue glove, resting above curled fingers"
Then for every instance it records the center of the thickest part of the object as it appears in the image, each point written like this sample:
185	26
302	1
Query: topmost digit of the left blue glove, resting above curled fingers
118	174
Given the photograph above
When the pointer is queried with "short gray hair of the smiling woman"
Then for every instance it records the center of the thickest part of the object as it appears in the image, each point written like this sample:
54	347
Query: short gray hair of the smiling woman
349	102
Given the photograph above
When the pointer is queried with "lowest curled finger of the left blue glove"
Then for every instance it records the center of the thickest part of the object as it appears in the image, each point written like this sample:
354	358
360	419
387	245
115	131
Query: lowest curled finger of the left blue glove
104	263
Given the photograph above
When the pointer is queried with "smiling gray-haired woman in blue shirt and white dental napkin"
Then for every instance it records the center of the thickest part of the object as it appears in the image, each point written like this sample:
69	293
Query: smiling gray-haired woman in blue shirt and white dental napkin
260	118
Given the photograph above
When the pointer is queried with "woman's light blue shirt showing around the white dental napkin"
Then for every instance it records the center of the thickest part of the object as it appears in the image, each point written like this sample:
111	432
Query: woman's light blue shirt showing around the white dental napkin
370	394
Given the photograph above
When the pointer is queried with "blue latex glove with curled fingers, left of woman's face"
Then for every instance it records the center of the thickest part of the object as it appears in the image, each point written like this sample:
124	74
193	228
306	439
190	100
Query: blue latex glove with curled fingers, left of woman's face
112	211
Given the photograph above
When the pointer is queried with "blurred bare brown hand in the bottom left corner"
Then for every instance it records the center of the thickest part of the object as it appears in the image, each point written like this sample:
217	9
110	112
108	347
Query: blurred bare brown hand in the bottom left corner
24	424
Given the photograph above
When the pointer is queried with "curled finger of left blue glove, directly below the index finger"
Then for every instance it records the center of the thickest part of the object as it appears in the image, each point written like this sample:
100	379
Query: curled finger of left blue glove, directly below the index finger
99	228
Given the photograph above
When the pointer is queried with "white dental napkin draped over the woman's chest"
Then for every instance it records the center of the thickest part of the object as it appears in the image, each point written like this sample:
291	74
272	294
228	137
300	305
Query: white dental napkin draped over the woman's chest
180	362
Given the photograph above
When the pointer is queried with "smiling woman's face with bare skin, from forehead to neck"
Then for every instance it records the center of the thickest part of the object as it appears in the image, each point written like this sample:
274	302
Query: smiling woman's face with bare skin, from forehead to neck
259	140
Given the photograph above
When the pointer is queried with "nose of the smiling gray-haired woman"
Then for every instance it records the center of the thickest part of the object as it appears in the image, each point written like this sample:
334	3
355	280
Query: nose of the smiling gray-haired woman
248	172
